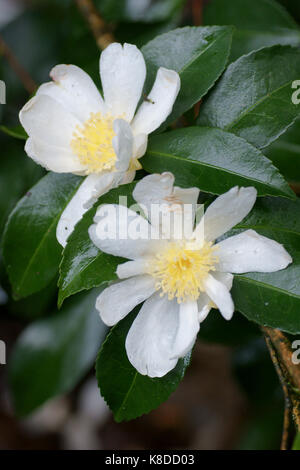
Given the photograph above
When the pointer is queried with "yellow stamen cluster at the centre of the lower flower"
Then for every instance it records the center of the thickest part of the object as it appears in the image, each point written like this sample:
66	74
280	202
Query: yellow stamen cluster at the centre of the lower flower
181	269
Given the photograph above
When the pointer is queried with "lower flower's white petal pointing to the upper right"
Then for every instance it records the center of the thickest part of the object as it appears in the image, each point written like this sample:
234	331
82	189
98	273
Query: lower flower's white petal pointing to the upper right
227	211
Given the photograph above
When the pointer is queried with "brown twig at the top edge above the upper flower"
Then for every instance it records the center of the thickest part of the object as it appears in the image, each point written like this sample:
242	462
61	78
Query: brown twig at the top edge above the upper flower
100	30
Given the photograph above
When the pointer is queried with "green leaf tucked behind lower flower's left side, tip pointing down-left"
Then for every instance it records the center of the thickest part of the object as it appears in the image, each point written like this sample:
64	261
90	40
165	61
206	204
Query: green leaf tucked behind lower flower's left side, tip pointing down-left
83	265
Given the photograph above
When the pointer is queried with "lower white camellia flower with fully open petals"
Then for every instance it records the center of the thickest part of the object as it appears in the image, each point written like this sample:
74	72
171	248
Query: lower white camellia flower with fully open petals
180	280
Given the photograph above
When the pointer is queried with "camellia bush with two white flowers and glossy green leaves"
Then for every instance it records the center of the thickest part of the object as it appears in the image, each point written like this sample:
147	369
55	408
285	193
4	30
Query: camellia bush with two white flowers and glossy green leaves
181	115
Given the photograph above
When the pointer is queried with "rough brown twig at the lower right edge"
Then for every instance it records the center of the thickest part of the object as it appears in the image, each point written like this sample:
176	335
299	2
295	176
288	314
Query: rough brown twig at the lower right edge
289	375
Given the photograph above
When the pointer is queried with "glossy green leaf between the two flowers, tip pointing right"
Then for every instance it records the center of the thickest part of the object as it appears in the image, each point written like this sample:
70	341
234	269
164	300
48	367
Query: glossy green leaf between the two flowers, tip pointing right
214	161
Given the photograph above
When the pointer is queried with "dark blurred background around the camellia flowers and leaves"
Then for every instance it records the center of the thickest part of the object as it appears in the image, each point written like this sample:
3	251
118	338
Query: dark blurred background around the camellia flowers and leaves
230	397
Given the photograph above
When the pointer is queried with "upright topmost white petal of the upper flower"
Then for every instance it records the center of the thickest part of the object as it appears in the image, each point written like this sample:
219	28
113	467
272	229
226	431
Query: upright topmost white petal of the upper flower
123	73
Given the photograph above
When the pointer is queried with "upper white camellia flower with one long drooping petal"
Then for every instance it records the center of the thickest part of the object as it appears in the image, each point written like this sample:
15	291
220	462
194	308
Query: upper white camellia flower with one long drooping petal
72	129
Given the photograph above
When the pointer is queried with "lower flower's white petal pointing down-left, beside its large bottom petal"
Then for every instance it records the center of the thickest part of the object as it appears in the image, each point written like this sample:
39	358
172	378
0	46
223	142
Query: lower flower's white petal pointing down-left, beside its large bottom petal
119	299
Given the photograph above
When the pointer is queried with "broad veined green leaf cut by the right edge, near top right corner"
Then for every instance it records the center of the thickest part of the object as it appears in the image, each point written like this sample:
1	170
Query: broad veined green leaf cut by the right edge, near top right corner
247	99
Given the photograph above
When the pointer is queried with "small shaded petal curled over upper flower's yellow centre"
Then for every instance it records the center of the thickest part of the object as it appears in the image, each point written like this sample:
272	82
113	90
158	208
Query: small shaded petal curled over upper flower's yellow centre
123	144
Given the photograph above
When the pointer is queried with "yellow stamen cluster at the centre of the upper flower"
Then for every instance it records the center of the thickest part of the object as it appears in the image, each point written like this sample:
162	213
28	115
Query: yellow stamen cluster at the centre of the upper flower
92	143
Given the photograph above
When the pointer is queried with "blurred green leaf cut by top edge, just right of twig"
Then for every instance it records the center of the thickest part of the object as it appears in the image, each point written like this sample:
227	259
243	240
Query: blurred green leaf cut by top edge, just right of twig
135	10
